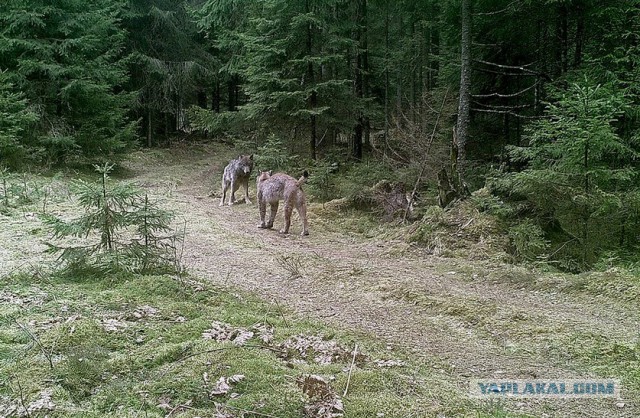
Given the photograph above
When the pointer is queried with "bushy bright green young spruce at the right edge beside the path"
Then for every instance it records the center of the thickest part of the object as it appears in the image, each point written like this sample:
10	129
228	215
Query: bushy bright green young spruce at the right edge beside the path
581	175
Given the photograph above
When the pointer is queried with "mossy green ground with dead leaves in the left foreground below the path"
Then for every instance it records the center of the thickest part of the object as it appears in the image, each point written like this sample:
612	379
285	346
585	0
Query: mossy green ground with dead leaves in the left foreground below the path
132	345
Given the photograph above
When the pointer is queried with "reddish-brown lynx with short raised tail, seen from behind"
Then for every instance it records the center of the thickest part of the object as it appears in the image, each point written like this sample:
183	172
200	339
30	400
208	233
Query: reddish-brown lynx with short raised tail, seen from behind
280	186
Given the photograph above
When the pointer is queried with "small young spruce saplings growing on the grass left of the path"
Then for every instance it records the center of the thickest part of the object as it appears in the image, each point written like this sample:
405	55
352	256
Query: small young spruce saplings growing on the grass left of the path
128	225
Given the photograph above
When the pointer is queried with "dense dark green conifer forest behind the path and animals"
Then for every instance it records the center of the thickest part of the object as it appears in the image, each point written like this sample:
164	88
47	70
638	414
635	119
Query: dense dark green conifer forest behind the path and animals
536	101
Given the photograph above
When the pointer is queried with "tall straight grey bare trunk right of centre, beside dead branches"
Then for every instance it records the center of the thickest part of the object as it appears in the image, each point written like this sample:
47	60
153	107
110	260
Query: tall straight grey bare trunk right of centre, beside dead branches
464	104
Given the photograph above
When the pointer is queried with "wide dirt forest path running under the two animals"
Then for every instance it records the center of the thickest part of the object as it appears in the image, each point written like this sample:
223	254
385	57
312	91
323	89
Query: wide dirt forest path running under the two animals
443	311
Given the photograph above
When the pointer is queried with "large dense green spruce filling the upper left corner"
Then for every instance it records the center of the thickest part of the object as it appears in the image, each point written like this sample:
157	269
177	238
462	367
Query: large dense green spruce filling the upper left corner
67	59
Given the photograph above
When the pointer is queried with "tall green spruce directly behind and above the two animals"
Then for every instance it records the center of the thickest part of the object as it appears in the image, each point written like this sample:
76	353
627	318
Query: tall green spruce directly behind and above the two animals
294	62
